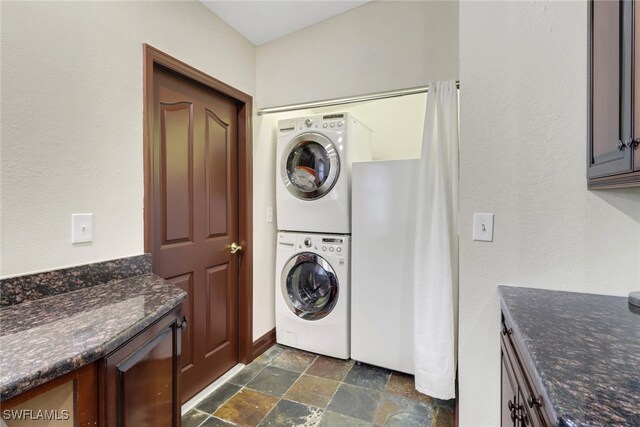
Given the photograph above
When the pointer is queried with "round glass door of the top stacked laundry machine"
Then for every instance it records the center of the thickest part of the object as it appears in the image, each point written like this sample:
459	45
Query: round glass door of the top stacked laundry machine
310	166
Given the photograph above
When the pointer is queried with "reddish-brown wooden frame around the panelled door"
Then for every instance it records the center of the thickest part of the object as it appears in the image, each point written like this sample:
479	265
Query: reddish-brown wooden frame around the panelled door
154	58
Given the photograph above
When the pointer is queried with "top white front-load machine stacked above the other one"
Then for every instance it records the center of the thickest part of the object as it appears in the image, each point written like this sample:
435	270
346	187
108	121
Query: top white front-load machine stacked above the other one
313	171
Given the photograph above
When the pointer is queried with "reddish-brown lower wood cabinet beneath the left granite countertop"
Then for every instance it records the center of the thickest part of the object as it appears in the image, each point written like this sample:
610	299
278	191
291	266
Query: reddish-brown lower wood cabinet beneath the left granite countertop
136	385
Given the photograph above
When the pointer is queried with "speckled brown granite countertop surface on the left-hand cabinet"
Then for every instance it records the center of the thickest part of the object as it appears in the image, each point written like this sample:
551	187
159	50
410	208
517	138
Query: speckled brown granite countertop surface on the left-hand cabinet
49	337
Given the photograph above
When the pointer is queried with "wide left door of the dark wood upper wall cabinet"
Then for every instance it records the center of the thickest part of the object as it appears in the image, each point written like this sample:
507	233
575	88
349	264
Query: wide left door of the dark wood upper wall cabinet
610	88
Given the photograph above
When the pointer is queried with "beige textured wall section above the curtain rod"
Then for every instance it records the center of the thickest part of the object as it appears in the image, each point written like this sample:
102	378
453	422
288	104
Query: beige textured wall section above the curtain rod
383	45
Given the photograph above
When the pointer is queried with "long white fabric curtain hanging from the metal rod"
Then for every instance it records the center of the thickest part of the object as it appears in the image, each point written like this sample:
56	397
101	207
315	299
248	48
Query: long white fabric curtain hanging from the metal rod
436	246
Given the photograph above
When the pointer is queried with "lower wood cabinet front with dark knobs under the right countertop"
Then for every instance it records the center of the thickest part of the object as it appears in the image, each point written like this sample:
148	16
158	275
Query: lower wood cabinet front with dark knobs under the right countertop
521	404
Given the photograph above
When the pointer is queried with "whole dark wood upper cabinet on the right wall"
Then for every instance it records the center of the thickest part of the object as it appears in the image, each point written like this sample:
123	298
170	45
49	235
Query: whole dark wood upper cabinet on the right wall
613	158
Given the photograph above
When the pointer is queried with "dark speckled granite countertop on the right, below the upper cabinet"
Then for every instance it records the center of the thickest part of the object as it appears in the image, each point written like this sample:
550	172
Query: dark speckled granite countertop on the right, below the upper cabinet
585	350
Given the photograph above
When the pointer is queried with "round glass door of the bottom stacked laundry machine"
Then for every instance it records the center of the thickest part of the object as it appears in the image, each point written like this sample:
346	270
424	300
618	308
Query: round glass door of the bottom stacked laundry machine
309	286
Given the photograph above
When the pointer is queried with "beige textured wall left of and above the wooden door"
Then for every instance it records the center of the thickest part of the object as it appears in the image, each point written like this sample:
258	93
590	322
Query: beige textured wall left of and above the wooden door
72	118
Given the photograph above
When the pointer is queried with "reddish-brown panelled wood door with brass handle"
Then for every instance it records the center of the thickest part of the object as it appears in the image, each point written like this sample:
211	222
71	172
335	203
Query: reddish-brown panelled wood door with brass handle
195	210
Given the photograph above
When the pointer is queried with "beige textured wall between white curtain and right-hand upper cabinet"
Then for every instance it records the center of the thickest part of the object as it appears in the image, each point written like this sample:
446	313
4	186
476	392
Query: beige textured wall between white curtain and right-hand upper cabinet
523	72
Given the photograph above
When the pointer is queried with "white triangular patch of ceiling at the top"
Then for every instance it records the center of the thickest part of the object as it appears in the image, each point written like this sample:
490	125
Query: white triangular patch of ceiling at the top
263	21
